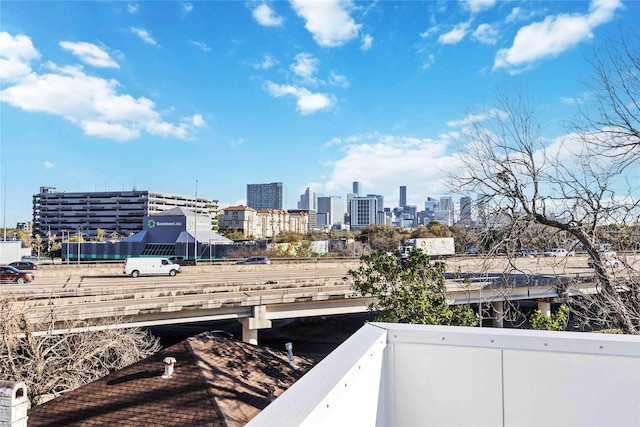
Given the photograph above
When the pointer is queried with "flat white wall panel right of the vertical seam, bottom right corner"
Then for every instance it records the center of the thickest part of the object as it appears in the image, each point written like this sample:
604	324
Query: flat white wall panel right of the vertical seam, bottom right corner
542	389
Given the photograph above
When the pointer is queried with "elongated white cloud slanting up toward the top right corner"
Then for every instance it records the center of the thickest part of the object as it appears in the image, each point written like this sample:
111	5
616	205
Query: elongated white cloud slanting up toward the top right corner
554	35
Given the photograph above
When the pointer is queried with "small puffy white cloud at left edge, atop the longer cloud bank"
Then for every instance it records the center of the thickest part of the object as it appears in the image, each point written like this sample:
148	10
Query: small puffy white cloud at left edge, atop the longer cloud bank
16	54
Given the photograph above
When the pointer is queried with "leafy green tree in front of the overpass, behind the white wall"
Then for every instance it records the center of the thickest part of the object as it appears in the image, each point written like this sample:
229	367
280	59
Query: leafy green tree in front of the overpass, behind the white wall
414	292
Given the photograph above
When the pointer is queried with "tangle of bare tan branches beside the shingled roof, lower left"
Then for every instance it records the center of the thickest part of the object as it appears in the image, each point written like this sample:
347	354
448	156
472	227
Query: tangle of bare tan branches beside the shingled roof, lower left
51	363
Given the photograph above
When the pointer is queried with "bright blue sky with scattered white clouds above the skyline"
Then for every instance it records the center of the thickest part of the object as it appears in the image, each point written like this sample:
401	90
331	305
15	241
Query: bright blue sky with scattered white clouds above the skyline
112	95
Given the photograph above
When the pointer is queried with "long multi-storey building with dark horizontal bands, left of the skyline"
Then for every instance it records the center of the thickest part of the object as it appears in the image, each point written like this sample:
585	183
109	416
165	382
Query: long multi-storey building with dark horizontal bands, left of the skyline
58	212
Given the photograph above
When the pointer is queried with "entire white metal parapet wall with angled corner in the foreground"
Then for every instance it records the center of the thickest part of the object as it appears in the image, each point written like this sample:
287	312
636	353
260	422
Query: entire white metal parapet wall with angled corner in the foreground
415	375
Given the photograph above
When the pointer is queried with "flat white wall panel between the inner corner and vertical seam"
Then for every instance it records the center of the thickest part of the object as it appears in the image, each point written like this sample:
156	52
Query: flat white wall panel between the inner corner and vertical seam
446	386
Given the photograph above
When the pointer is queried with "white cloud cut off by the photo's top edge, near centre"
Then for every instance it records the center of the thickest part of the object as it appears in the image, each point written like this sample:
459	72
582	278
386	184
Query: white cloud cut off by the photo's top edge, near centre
328	21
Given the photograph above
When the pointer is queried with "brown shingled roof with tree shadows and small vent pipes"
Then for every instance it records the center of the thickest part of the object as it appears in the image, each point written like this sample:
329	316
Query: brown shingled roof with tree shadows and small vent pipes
216	382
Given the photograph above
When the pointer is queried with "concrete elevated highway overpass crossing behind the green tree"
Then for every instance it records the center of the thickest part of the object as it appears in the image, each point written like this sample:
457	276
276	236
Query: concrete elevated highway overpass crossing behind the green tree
256	295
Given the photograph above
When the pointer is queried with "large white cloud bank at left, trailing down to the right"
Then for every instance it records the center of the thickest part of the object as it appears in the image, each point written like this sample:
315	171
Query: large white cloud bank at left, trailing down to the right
92	103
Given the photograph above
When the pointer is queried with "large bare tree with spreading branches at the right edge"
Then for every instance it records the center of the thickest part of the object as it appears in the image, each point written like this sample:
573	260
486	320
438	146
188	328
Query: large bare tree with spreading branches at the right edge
525	180
